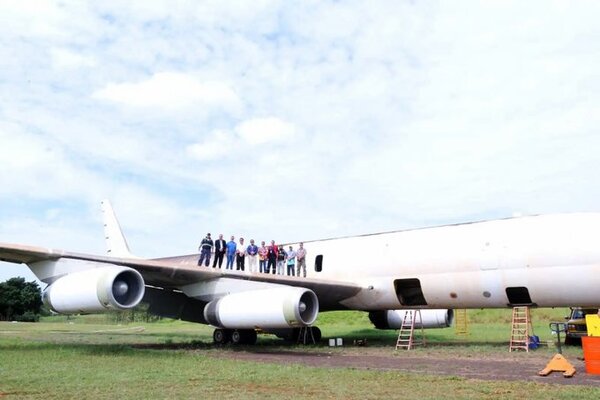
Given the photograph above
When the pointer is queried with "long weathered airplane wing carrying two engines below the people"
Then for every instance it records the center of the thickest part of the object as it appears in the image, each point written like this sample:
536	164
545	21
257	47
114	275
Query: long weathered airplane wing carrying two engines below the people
171	274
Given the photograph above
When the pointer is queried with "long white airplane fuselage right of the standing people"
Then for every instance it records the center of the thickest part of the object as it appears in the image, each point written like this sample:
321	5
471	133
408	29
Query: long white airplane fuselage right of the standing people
548	261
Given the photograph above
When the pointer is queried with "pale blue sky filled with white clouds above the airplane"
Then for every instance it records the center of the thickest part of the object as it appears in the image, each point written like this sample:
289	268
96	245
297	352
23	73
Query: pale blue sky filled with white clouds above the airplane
290	120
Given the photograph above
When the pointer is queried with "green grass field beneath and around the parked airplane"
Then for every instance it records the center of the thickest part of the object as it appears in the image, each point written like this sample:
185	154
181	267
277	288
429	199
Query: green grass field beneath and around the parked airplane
88	357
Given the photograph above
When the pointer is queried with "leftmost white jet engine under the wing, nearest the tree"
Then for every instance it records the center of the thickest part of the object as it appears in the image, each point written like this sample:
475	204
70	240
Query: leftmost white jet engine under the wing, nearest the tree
95	290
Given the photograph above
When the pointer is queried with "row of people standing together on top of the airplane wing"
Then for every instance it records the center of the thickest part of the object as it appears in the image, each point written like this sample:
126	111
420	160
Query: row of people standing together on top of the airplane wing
270	259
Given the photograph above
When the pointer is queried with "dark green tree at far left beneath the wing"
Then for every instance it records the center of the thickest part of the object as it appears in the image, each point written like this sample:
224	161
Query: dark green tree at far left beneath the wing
20	300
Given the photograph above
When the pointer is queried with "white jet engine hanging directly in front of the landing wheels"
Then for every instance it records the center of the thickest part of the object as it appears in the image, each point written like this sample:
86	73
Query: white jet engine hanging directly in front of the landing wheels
268	308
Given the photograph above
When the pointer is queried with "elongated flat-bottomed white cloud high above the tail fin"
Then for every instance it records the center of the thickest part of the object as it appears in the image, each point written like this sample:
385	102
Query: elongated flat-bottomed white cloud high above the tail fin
169	90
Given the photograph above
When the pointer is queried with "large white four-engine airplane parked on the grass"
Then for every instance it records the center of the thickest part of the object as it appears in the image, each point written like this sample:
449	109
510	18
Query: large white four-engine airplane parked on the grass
540	261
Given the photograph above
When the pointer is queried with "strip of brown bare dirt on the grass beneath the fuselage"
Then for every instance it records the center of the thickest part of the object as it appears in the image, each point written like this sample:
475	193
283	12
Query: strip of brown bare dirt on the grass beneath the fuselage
509	369
